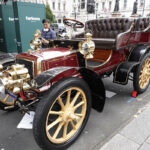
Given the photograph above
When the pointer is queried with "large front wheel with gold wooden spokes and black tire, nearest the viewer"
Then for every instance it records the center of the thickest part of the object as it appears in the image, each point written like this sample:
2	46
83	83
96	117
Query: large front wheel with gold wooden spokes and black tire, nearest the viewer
62	114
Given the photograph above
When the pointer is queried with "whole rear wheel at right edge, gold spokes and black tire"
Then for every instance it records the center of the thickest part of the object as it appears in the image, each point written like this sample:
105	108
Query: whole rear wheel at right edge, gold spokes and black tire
141	78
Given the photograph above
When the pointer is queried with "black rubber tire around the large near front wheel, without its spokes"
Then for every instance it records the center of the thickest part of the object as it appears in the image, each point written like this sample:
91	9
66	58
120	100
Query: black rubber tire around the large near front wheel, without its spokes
43	108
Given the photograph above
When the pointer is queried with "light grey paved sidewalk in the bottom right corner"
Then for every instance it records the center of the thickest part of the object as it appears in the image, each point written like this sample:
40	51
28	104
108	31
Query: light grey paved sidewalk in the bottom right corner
135	135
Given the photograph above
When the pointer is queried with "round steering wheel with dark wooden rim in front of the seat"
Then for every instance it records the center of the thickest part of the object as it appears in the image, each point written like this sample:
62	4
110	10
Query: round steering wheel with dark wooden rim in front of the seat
73	23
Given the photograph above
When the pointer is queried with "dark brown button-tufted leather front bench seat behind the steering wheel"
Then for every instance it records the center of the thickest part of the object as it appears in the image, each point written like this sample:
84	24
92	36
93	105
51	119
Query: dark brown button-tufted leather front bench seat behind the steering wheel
105	31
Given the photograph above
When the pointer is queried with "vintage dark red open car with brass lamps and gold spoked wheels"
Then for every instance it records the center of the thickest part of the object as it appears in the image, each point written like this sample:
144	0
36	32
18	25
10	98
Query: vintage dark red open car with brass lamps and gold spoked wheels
63	82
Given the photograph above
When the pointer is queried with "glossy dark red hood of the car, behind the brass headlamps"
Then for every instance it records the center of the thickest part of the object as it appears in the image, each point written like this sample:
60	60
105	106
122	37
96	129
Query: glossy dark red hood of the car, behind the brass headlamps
51	58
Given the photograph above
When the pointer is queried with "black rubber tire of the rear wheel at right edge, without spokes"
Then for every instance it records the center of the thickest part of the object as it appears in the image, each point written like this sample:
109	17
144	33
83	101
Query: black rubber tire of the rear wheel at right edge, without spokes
137	74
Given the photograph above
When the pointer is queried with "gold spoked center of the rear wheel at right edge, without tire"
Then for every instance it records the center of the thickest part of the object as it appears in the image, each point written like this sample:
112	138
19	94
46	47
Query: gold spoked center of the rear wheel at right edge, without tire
145	74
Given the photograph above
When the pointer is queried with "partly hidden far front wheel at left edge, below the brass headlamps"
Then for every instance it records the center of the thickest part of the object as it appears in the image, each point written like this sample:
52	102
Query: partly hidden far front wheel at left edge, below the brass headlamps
7	101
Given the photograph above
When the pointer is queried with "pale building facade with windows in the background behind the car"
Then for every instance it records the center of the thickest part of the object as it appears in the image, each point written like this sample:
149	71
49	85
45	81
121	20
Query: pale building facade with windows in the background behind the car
80	9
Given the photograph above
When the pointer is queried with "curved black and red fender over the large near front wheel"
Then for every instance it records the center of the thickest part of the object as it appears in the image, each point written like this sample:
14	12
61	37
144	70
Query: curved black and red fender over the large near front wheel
91	78
